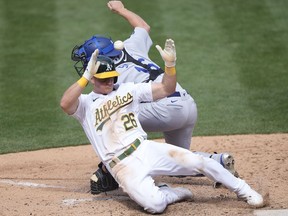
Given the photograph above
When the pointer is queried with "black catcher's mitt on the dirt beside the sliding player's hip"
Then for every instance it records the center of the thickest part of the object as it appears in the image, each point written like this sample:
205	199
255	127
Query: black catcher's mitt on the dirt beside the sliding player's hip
102	181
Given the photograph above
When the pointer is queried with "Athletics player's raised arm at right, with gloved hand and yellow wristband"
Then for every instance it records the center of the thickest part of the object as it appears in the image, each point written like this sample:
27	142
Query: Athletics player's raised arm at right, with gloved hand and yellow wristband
168	84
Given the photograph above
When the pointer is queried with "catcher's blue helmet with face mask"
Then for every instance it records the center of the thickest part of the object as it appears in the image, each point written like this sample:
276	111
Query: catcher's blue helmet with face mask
82	54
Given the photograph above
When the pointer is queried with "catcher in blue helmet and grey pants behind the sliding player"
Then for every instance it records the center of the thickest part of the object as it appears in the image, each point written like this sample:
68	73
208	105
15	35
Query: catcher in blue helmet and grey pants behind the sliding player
174	115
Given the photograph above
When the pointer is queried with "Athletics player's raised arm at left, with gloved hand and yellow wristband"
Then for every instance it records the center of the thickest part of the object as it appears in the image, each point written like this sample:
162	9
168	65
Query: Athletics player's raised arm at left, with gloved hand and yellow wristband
69	101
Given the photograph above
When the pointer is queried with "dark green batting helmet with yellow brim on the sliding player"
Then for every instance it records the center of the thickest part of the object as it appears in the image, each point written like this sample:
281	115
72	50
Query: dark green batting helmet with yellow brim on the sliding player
106	68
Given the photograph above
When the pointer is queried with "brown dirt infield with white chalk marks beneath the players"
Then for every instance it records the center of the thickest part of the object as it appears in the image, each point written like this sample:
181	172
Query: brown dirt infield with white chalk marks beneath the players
56	181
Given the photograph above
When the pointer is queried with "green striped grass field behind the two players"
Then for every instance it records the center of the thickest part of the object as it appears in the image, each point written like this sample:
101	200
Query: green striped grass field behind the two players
231	56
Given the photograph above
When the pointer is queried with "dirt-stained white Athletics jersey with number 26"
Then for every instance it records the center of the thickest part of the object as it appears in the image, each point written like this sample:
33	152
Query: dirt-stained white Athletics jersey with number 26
110	121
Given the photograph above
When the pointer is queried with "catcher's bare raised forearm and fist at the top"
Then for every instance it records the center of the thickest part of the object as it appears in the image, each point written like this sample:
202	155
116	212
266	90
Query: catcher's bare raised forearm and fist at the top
134	19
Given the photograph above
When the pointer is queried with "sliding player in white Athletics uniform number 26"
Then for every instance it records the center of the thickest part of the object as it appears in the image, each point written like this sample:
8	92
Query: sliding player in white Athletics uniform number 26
109	117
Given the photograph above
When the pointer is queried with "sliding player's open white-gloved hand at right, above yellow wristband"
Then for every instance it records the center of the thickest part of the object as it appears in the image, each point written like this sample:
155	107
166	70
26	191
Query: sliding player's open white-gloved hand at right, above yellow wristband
169	53
